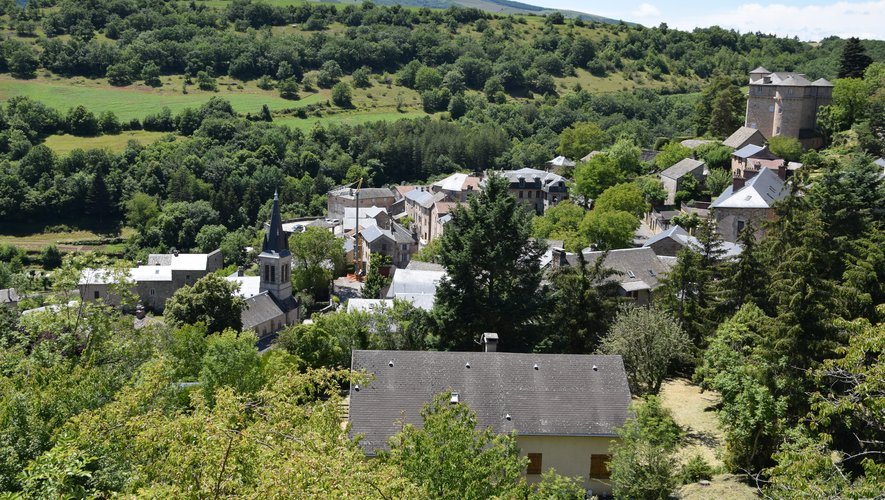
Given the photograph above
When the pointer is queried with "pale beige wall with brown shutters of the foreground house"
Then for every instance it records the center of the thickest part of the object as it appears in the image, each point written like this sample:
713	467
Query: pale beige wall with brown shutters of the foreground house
570	456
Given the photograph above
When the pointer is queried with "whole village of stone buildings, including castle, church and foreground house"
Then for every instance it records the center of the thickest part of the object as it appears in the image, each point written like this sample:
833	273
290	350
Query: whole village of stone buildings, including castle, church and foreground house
564	408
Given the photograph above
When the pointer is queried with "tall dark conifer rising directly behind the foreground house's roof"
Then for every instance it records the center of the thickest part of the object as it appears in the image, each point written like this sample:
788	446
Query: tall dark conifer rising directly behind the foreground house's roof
493	271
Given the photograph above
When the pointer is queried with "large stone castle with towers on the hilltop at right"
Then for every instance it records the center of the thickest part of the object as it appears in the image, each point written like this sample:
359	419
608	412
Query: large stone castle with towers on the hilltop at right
785	103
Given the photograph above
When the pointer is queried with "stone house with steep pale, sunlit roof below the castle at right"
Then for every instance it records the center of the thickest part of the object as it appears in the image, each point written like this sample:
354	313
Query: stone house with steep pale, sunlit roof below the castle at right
749	199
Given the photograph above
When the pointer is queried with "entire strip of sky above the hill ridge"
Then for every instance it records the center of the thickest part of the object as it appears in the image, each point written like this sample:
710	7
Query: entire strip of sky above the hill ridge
810	20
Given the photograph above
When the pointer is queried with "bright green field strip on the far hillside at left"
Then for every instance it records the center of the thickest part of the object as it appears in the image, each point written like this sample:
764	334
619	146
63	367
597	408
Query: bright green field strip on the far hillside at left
137	101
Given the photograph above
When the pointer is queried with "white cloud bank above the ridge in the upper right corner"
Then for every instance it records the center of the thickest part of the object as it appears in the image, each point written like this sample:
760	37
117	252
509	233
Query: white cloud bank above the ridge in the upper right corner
809	22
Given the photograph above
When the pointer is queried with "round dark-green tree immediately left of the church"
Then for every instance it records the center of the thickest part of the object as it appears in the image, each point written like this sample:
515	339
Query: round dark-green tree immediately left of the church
212	300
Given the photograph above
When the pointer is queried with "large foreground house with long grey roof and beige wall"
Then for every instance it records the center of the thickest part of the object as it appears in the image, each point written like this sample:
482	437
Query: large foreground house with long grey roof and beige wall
564	408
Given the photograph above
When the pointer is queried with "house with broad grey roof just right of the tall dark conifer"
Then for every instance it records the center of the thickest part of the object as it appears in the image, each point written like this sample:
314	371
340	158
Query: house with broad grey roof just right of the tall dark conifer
639	269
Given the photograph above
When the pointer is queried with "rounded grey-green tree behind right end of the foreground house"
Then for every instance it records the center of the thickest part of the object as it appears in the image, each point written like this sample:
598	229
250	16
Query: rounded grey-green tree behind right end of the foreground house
650	341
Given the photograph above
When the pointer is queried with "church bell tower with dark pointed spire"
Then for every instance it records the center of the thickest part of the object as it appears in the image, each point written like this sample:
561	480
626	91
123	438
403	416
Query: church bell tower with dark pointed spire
275	260
